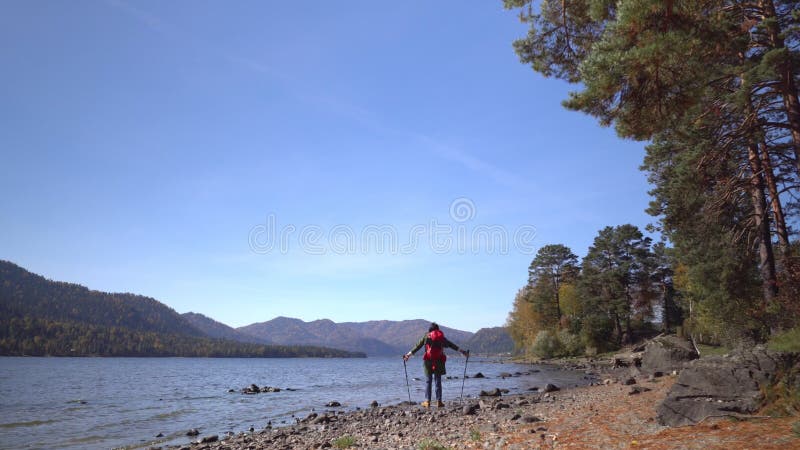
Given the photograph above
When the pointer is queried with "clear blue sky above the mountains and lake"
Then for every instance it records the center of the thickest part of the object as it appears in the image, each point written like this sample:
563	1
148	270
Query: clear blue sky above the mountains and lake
237	159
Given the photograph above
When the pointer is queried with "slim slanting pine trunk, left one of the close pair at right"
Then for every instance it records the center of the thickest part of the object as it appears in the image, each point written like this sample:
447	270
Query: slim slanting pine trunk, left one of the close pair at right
764	238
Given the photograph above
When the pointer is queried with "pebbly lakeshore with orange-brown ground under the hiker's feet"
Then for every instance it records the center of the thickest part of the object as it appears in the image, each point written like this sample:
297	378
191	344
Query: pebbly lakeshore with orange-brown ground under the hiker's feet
611	414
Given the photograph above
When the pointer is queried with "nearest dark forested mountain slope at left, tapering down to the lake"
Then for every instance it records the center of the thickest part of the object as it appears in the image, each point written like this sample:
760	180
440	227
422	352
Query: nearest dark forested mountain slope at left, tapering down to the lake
43	317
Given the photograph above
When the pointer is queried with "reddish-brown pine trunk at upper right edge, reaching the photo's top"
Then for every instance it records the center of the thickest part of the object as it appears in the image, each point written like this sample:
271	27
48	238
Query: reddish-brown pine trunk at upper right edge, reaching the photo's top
787	88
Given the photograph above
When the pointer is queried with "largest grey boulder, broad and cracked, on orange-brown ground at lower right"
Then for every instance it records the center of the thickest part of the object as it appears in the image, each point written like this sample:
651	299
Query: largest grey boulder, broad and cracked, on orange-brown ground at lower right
722	386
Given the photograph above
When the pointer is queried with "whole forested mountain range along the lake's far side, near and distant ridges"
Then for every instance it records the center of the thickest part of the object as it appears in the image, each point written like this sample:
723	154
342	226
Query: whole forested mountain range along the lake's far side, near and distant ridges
143	325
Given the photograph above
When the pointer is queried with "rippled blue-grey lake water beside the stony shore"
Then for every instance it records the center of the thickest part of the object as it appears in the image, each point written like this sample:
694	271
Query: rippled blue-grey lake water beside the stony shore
102	403
